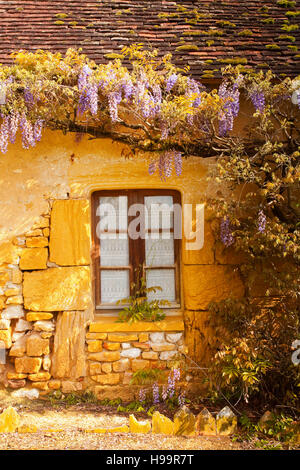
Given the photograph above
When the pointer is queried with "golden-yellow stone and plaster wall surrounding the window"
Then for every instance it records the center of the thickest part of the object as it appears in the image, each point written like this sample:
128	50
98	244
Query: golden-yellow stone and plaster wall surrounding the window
48	327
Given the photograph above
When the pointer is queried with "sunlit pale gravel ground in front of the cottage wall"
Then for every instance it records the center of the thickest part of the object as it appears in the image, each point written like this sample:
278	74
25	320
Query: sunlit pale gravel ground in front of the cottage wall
65	428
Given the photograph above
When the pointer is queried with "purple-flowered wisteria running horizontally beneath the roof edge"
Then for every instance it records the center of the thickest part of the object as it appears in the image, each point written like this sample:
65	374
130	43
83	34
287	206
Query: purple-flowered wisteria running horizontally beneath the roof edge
152	101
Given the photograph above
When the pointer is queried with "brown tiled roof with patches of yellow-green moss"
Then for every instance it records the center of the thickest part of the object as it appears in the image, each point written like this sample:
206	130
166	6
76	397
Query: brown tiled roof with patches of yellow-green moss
202	34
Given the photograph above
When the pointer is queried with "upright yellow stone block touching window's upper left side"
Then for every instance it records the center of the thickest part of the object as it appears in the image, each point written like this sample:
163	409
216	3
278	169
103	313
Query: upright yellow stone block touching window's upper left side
70	232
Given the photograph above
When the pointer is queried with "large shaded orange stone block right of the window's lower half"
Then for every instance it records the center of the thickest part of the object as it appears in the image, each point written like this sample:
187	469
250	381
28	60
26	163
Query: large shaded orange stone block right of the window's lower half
210	283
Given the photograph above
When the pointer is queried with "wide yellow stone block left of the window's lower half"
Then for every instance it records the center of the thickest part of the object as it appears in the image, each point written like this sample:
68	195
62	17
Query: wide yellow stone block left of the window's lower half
57	289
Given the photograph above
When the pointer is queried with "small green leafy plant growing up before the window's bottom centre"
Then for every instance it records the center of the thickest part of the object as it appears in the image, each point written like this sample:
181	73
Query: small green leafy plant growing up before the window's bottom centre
140	308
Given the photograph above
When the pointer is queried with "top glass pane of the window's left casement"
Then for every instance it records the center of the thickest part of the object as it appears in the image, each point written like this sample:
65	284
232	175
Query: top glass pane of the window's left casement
113	213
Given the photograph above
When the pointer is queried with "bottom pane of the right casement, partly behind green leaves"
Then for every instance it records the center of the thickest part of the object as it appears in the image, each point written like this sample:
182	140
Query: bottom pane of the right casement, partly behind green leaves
165	278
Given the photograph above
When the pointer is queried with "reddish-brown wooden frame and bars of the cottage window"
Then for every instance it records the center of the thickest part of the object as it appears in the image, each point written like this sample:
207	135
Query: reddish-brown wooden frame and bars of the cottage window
136	247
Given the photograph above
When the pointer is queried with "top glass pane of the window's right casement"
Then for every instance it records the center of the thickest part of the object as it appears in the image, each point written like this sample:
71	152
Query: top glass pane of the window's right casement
159	212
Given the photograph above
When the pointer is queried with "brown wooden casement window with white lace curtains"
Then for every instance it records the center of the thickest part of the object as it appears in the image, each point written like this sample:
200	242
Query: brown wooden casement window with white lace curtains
134	230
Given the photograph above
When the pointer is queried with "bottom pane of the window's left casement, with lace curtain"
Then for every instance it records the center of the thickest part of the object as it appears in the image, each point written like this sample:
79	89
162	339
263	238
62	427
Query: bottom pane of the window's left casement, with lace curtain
114	286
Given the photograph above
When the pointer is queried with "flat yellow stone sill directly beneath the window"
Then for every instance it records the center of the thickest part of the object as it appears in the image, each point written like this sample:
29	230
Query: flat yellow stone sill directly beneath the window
109	324
